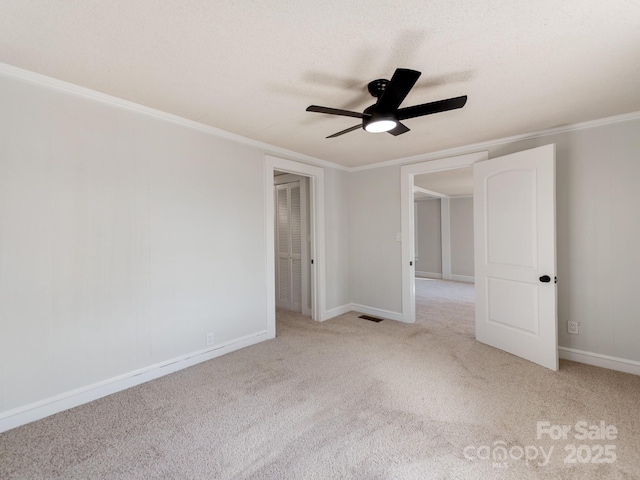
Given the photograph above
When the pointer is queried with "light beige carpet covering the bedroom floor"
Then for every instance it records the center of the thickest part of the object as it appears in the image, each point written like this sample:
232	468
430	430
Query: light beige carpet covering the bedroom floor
347	398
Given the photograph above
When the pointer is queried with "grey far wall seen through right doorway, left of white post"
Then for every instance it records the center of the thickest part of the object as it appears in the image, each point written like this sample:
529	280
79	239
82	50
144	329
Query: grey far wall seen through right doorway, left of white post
428	242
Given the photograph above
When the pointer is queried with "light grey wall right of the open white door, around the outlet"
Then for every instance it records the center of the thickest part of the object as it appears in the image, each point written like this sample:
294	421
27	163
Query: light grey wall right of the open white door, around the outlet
598	233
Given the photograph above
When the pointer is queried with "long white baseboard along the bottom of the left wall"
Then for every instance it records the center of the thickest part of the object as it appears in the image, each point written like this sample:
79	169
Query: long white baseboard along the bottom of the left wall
43	408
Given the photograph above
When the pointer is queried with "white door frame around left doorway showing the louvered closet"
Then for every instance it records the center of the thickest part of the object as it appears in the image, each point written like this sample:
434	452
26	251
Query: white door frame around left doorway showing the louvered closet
317	244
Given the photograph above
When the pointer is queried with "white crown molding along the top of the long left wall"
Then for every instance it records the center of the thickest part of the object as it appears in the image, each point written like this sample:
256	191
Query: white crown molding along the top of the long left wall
42	80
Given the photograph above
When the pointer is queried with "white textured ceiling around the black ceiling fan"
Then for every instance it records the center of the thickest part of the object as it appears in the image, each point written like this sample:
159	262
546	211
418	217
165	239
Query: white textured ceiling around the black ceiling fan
252	67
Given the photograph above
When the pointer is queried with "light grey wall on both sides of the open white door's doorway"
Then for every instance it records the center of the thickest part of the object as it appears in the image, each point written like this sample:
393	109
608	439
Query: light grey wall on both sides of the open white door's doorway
598	233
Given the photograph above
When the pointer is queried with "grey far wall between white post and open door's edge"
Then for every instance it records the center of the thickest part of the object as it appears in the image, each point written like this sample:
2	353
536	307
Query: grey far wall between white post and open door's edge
461	234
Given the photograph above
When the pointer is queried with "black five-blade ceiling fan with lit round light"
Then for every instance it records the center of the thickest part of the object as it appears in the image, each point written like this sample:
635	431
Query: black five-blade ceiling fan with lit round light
385	115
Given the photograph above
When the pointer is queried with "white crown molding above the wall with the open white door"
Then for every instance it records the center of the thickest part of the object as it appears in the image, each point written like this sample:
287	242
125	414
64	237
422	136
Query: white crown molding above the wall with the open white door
465	149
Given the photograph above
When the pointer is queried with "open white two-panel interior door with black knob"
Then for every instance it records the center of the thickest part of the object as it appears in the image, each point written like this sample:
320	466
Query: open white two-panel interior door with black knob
515	254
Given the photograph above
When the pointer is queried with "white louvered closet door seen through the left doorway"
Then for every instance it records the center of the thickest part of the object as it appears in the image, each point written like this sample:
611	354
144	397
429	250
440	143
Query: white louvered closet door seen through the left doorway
289	247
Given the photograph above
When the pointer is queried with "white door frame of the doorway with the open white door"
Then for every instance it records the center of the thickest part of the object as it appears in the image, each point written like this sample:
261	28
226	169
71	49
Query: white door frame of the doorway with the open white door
407	174
